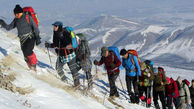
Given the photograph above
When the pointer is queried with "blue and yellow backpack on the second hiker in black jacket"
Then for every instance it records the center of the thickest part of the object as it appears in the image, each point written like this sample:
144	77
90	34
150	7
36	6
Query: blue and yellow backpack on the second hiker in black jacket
73	36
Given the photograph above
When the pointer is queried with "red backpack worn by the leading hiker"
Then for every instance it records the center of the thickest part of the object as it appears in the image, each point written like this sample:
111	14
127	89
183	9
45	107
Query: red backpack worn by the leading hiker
29	11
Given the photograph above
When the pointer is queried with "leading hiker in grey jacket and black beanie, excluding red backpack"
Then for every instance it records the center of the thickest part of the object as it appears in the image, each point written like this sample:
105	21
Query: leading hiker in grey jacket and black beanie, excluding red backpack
28	34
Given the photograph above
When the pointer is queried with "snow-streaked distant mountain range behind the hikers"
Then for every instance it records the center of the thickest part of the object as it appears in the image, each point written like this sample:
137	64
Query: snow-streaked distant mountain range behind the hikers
164	44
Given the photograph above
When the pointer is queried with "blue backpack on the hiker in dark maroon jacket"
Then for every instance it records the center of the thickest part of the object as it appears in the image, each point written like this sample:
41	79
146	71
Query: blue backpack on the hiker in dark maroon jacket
116	51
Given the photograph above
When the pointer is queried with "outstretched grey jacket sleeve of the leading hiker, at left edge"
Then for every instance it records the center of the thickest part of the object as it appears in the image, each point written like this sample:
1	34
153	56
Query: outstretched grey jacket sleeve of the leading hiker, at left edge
6	26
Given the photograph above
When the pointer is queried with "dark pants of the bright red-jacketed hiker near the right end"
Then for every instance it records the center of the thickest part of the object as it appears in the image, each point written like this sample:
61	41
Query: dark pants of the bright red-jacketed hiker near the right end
171	100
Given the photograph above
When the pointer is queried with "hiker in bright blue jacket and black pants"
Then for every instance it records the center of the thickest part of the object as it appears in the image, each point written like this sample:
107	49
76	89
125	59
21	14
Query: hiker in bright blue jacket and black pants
133	71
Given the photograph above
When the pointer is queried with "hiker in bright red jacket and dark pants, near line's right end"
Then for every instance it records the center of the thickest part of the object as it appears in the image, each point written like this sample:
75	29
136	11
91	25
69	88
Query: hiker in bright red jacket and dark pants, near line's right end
172	93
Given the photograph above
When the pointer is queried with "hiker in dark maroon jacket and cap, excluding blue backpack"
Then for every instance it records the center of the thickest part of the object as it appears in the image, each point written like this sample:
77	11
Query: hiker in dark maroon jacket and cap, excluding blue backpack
112	64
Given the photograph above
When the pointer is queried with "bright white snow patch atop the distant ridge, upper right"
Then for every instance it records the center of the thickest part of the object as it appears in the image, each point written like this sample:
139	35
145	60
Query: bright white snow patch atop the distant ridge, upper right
154	29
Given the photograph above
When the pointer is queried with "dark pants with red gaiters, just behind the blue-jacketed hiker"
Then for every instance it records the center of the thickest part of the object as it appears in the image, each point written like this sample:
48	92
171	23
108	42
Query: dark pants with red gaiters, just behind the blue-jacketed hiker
147	91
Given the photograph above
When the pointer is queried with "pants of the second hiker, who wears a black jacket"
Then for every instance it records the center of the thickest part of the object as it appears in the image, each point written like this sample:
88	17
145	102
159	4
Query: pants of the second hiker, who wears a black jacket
73	68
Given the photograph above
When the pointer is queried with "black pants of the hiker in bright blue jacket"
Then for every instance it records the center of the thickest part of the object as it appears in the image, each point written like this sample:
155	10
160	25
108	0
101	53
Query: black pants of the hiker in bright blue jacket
134	96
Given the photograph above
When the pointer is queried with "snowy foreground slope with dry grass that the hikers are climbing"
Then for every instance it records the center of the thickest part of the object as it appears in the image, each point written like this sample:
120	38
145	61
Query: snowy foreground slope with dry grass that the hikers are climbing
48	91
